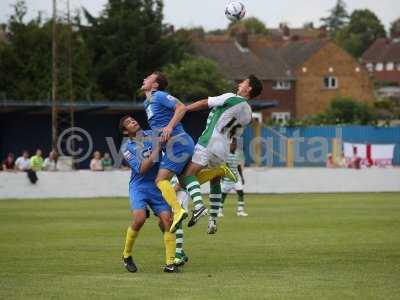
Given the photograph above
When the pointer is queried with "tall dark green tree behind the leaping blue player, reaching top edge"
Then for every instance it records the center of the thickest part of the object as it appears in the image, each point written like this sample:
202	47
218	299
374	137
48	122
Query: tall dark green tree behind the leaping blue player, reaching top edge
129	41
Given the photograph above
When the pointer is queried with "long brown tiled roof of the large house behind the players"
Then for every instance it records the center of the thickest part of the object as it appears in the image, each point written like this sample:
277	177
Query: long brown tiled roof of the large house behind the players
263	58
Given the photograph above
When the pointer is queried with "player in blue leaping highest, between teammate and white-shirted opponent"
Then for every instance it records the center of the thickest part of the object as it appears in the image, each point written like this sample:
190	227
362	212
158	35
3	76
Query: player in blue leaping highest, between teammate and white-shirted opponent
164	113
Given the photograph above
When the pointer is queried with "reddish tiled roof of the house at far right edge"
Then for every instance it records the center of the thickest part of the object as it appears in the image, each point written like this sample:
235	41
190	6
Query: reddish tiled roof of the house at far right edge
383	50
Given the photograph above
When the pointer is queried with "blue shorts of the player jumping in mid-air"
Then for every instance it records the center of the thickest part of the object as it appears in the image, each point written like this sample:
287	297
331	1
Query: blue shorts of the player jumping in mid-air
177	153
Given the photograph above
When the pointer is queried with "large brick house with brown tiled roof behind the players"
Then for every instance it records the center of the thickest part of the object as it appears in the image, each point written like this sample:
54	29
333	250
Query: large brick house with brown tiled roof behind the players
303	76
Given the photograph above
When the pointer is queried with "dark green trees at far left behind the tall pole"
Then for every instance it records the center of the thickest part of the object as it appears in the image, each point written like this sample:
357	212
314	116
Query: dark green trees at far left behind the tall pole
25	60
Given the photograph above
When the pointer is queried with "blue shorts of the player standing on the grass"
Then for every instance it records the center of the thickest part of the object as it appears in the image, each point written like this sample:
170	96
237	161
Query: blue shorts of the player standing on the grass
152	197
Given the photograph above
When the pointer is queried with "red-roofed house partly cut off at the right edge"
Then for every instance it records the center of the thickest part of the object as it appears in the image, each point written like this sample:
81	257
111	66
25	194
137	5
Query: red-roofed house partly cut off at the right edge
382	59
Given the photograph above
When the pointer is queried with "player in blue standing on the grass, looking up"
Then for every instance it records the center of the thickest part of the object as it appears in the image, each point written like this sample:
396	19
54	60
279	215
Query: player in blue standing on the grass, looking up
142	152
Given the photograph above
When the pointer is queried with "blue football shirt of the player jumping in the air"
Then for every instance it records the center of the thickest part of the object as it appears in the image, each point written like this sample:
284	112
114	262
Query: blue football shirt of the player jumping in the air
160	109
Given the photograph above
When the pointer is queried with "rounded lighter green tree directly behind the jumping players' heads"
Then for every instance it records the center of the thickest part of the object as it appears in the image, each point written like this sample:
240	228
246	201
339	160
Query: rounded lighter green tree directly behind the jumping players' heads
195	78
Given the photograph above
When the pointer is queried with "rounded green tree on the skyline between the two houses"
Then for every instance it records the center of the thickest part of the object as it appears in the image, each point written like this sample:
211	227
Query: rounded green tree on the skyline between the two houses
364	28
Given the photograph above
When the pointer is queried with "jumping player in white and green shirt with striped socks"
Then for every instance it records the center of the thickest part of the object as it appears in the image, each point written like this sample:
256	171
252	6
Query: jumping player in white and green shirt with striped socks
230	113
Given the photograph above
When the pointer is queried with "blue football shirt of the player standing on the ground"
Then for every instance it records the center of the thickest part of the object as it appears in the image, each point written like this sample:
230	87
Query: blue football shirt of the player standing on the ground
135	151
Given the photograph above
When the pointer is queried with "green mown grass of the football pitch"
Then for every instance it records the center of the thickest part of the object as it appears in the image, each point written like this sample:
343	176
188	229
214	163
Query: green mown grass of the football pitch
306	246
